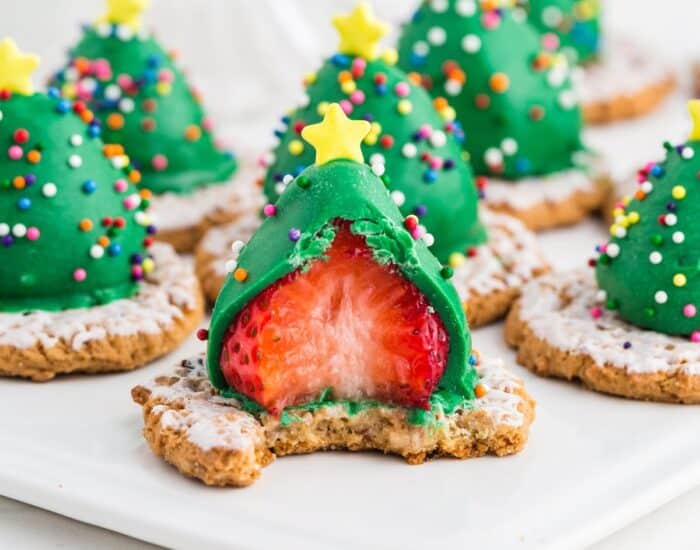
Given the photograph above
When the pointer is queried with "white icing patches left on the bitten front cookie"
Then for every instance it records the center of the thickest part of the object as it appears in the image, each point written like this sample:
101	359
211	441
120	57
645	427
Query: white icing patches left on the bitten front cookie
210	421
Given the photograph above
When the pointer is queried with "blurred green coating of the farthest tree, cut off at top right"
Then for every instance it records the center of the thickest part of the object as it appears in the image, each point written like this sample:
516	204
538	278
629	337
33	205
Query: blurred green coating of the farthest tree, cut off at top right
577	24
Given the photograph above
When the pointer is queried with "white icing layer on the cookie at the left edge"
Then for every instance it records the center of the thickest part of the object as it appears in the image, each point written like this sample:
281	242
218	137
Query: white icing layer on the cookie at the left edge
164	295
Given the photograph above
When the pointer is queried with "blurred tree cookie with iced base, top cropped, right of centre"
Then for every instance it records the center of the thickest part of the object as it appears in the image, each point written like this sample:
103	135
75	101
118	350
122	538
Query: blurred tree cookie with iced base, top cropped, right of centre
515	104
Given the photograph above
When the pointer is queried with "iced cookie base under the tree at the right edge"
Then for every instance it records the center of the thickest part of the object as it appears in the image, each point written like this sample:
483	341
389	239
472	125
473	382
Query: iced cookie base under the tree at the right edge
555	335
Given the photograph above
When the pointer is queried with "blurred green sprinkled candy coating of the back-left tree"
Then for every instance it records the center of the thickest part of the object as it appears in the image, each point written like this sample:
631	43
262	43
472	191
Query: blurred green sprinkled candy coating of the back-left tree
146	104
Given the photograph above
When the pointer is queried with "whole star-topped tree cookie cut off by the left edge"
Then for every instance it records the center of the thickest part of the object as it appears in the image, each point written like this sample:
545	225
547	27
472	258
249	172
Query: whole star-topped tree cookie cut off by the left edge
81	287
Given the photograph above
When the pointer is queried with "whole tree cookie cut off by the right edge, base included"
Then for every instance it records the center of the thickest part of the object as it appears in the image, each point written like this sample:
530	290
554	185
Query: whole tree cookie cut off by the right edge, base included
634	329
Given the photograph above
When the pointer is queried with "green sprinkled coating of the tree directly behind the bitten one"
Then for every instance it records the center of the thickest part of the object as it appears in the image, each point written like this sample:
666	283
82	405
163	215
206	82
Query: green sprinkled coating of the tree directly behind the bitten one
443	196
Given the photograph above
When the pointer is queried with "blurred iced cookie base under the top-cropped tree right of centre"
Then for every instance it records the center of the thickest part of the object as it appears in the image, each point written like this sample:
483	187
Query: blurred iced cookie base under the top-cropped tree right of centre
547	202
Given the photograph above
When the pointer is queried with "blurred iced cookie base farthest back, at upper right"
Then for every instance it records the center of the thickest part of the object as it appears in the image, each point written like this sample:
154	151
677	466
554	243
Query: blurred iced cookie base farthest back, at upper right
627	82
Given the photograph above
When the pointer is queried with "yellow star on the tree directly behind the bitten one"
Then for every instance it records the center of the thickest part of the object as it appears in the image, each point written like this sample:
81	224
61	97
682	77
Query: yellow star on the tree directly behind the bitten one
360	32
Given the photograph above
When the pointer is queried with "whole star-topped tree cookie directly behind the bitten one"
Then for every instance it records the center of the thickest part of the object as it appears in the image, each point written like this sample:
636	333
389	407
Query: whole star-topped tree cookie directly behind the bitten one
413	146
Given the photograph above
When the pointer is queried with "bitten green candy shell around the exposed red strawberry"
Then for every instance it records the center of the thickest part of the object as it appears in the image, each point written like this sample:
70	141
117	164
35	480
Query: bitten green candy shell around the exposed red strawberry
350	191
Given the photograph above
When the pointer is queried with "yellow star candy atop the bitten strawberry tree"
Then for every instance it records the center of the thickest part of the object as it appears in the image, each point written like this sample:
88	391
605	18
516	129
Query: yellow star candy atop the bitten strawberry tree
337	137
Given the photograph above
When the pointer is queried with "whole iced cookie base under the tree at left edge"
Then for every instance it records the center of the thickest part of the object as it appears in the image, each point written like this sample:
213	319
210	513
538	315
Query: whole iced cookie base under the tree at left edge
168	307
